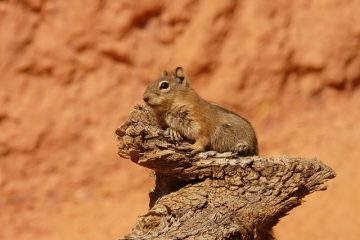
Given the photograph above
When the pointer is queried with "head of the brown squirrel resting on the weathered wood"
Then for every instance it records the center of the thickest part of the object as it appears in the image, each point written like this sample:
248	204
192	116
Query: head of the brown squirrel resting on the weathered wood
161	93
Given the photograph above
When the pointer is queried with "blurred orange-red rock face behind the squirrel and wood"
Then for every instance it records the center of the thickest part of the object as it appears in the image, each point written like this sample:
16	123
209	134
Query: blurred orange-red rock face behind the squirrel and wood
70	71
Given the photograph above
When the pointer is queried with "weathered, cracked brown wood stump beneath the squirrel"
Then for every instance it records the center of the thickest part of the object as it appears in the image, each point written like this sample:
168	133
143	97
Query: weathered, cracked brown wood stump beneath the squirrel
213	195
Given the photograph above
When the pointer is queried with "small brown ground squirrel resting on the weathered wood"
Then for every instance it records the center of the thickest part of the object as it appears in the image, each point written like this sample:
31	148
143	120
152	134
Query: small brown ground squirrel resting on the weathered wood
186	115
